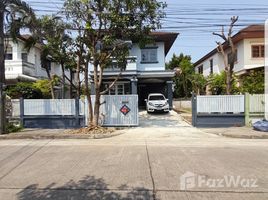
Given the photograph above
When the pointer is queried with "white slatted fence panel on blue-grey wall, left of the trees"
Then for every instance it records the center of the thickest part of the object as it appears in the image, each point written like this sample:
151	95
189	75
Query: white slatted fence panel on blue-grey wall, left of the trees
49	107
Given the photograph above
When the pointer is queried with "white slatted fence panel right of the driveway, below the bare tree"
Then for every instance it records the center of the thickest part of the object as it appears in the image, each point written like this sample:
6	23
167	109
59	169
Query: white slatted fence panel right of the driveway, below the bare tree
221	104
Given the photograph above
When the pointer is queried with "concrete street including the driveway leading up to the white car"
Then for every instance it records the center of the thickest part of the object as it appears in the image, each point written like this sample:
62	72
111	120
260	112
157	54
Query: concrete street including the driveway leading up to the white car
143	163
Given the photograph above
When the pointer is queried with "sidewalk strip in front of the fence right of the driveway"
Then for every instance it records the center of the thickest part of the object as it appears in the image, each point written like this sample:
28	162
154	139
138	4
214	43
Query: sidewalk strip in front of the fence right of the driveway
237	132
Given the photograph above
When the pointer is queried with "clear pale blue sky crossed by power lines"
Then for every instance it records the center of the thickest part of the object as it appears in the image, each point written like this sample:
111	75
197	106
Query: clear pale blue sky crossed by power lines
194	20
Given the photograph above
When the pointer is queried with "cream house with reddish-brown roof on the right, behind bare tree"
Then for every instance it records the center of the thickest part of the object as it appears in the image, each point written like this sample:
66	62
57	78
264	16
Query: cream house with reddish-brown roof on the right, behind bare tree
250	53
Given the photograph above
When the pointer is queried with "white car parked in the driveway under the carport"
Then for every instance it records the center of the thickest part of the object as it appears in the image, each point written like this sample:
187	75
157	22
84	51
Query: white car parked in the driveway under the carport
157	102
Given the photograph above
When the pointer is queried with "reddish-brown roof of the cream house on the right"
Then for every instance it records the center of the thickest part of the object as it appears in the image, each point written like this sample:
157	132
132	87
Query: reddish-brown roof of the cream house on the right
252	31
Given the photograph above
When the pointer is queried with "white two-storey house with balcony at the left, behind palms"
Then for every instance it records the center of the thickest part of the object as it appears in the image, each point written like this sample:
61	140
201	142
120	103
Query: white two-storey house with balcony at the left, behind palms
23	65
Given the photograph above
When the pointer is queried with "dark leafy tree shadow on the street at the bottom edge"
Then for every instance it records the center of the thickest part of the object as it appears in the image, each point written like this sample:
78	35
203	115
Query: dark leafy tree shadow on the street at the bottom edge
89	188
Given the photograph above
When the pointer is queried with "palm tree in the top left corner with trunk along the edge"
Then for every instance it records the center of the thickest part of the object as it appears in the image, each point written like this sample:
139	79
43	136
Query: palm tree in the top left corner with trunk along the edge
14	14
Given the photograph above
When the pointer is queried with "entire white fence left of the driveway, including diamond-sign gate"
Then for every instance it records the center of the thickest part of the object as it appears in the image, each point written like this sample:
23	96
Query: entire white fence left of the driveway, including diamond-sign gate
115	110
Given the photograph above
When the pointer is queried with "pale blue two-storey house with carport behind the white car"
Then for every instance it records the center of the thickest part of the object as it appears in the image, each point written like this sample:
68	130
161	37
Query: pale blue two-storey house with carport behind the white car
147	73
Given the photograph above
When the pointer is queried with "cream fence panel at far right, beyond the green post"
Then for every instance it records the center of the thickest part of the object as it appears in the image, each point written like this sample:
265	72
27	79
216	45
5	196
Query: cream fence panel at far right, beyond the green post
257	103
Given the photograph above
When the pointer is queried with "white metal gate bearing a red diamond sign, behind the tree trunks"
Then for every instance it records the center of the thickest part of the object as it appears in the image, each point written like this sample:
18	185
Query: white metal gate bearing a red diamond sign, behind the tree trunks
115	110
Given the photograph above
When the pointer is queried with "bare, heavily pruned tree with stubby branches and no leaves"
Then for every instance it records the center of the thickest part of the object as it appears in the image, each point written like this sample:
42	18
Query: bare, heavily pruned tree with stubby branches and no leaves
230	58
